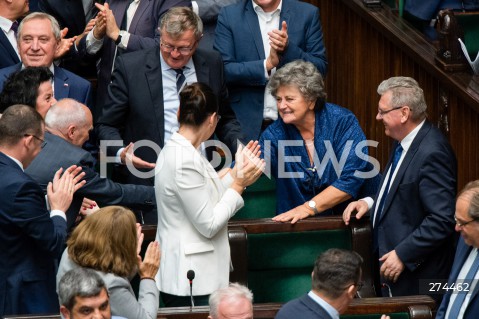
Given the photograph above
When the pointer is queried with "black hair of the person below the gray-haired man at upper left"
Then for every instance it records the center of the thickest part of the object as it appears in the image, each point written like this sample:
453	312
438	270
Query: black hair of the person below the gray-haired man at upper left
21	87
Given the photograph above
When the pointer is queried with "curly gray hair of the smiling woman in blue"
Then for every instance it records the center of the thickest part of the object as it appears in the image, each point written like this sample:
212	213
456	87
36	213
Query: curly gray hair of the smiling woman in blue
303	75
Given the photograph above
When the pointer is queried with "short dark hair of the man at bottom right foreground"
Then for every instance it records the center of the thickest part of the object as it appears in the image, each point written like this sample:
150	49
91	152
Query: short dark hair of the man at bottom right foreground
335	270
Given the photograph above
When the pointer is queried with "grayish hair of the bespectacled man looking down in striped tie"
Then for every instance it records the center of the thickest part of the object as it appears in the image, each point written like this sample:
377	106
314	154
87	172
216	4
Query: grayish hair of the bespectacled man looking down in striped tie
177	20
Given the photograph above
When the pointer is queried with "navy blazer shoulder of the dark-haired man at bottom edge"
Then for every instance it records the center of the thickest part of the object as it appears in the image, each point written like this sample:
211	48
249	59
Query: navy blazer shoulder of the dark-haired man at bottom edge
304	307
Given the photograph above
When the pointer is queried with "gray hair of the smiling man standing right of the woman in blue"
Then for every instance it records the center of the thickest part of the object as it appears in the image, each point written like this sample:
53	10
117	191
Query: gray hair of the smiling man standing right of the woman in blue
405	91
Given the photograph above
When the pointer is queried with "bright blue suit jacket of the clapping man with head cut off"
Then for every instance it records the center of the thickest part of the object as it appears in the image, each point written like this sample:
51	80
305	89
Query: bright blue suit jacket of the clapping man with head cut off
238	39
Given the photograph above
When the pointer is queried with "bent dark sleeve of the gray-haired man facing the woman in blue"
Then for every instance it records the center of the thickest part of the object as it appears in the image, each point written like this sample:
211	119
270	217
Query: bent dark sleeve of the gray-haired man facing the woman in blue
437	190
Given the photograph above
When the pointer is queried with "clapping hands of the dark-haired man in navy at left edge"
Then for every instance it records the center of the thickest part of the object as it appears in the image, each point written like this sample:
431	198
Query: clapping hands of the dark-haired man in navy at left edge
60	191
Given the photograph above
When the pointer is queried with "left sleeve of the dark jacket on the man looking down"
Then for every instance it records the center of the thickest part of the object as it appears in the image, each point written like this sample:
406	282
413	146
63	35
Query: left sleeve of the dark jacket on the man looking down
115	111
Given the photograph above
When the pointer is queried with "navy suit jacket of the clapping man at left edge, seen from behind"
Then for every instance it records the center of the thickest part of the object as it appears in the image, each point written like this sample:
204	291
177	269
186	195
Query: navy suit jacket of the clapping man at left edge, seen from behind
30	241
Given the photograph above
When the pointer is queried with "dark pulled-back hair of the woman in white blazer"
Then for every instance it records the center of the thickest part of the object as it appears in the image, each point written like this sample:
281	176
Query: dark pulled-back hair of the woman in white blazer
197	102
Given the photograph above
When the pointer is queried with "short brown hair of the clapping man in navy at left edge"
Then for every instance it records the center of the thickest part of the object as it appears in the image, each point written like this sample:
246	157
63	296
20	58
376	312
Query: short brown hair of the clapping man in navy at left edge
17	121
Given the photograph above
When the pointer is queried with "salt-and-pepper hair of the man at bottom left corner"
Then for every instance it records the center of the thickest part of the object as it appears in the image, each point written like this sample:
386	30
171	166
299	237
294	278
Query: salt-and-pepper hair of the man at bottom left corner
79	282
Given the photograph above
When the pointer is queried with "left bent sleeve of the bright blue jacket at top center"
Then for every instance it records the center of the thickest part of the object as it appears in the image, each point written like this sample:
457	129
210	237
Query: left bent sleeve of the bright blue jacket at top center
237	72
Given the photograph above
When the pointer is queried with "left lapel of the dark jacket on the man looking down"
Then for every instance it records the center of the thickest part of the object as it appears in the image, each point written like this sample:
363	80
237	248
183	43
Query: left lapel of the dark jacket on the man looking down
155	87
